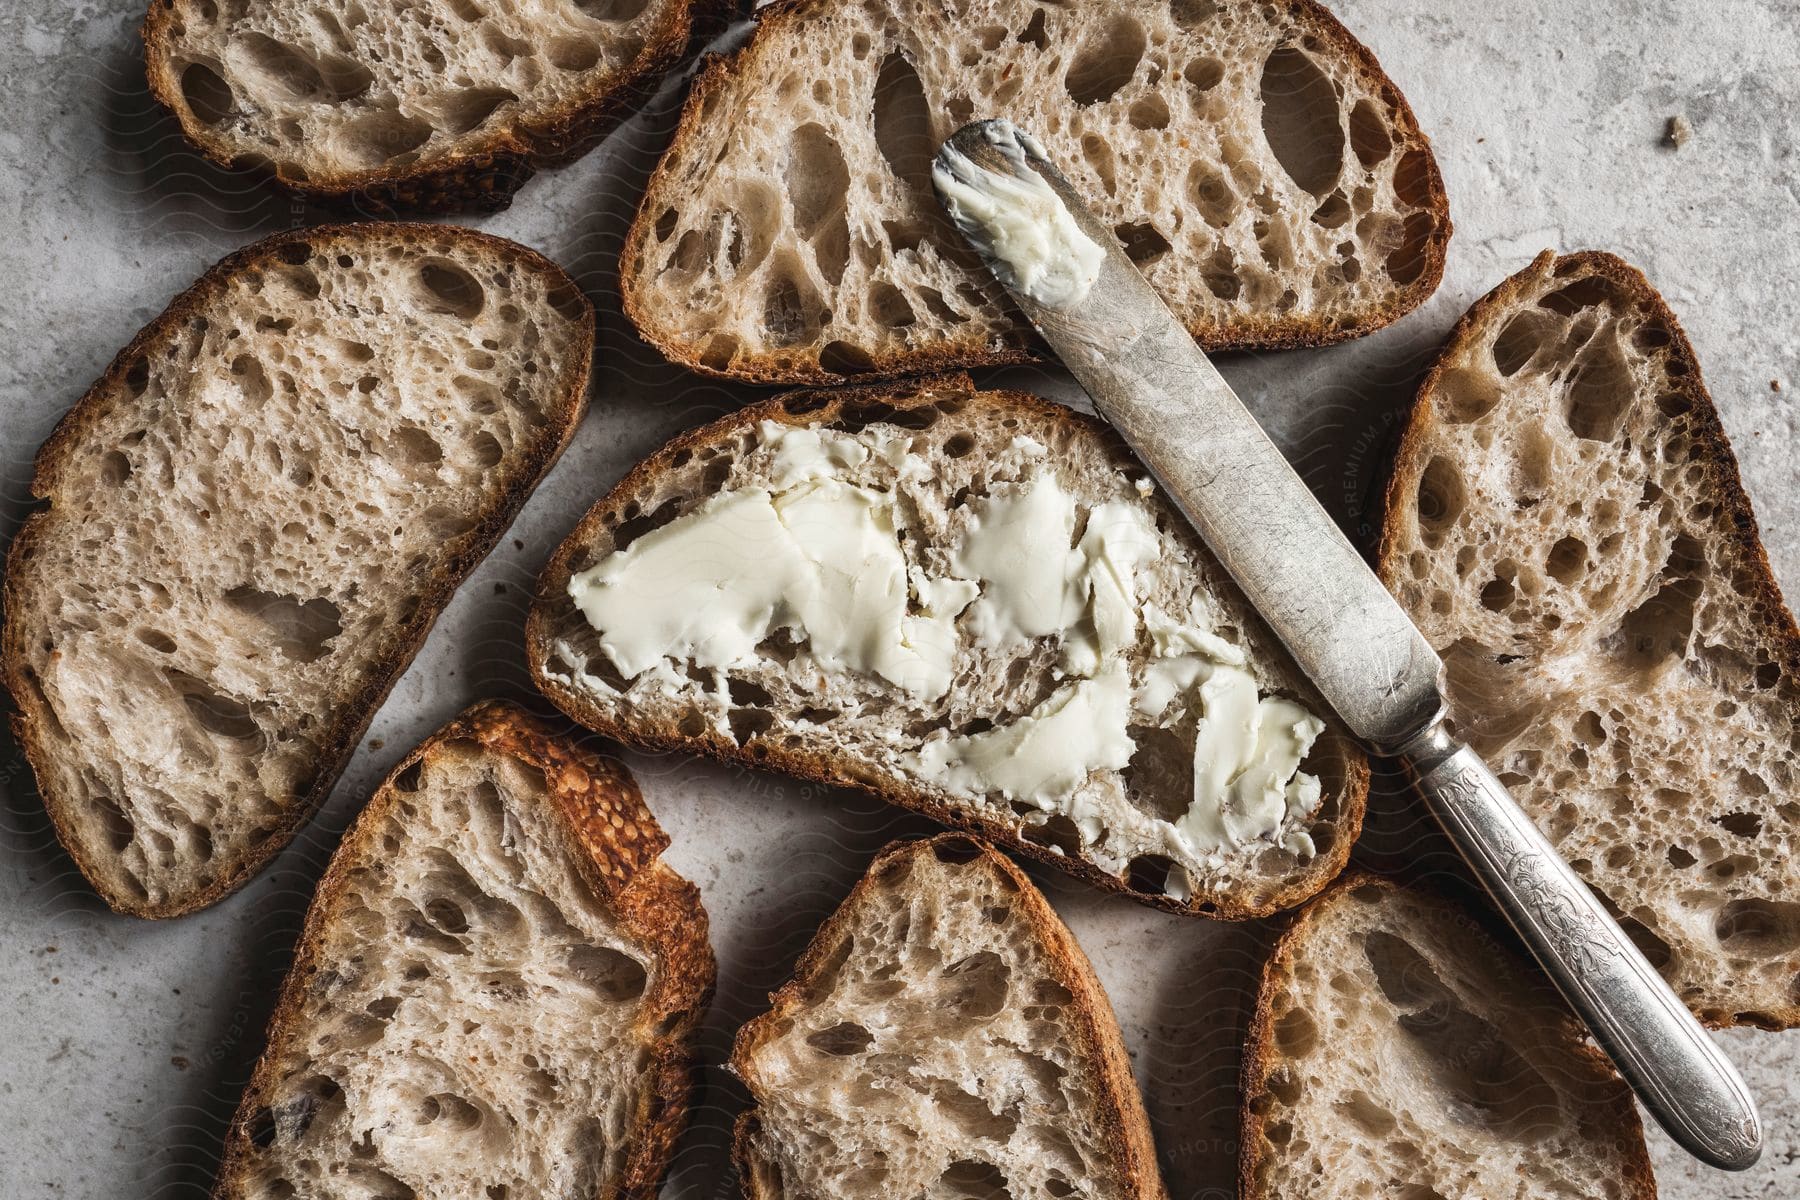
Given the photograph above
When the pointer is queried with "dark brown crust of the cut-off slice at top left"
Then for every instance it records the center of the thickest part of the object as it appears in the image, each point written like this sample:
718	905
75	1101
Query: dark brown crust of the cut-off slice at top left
483	175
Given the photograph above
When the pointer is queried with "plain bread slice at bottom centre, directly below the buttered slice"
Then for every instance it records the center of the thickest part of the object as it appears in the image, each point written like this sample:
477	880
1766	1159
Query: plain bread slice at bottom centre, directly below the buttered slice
942	1037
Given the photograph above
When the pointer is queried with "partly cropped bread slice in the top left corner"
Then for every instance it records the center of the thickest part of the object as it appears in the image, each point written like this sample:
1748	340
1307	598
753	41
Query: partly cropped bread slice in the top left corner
440	105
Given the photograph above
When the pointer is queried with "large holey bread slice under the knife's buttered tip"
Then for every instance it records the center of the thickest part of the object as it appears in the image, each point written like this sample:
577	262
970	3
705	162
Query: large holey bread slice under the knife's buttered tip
1254	159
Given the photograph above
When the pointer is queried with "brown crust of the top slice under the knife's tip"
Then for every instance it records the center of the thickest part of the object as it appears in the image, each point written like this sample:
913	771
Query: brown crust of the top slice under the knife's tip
1241	336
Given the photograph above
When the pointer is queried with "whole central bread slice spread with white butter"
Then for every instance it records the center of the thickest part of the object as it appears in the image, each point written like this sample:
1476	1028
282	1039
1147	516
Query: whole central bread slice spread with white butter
975	605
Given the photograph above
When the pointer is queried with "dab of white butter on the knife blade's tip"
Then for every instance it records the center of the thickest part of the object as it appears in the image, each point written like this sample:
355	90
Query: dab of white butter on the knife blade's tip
1018	222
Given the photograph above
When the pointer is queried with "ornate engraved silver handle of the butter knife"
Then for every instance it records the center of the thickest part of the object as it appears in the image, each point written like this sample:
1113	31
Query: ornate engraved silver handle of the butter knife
1666	1057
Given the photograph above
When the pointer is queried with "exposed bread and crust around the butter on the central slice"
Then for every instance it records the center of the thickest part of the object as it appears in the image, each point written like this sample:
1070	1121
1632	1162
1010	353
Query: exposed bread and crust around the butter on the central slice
856	730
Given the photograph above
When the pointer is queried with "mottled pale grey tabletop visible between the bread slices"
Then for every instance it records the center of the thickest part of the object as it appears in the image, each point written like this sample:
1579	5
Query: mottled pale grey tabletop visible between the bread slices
123	1044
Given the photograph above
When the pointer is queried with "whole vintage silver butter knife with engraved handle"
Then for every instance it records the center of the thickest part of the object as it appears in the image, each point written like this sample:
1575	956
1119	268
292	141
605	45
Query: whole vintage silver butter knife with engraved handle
1068	274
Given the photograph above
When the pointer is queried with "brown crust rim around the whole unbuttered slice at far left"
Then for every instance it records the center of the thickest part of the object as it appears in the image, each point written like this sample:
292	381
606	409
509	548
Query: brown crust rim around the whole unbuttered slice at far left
352	719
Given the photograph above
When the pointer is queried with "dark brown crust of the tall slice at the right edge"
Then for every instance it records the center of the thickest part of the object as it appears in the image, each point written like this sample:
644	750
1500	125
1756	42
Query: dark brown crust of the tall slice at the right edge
1711	443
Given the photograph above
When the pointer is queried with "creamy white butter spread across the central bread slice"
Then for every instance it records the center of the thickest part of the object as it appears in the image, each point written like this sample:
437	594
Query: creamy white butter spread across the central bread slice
823	560
